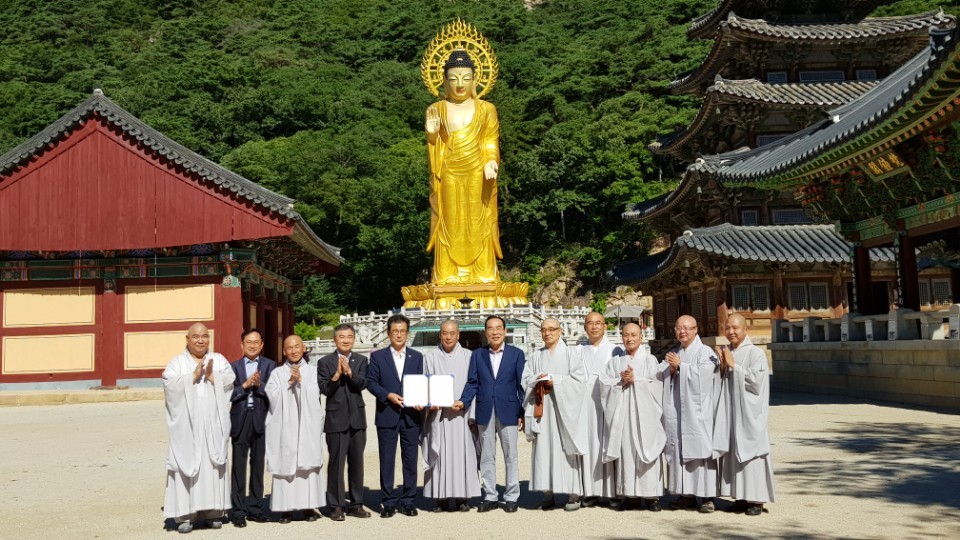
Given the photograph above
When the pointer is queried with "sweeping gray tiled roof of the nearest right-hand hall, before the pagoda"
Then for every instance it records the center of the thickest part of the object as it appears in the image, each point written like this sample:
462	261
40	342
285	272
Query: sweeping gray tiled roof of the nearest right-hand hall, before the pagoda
891	99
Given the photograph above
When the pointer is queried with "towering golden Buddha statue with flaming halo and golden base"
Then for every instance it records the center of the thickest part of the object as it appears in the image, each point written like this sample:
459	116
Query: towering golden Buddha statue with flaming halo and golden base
463	145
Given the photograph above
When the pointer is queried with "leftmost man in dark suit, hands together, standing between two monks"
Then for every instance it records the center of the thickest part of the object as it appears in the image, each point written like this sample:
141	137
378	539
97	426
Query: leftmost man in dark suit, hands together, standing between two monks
248	410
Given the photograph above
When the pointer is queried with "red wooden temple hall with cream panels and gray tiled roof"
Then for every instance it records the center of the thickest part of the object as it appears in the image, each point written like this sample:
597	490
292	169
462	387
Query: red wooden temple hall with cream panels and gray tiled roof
115	238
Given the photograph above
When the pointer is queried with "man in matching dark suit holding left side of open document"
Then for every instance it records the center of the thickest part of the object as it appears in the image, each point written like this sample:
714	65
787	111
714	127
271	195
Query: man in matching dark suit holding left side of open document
393	420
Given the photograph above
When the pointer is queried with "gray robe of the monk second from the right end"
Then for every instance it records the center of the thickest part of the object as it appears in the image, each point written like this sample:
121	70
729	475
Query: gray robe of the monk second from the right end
689	408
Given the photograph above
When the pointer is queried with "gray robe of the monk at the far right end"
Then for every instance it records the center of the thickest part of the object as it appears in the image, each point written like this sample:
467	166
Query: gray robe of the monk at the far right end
746	468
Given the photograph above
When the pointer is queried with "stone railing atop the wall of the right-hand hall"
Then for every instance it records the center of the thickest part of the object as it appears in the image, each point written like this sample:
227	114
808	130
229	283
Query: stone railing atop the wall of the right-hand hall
897	325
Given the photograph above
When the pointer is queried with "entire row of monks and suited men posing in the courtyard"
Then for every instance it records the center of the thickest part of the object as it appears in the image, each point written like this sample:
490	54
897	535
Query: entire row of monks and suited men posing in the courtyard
599	418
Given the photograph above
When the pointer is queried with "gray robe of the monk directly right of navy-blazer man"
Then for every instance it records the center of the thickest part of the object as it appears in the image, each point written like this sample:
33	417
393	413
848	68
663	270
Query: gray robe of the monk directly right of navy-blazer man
556	456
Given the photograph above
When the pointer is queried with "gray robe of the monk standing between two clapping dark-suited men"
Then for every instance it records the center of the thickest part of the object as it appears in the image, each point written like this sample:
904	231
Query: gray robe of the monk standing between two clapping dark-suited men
294	435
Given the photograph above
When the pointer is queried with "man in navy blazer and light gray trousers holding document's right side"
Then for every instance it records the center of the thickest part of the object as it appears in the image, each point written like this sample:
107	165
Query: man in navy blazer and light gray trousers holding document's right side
494	379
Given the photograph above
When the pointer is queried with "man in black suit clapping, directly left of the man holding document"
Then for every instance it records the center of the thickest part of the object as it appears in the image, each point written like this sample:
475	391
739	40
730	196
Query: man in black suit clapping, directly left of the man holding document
342	375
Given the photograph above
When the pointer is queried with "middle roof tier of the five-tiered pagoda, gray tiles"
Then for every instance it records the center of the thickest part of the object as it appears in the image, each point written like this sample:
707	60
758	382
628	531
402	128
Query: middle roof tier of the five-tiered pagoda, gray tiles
819	96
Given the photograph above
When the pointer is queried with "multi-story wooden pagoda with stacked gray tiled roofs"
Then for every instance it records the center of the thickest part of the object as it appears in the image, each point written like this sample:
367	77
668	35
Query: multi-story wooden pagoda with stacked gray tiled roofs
775	68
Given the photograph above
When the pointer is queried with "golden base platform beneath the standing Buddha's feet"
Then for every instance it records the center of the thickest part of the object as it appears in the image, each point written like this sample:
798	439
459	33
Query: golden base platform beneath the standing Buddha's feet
482	295
